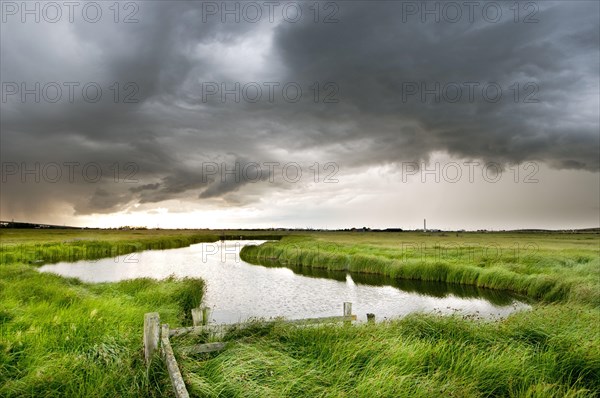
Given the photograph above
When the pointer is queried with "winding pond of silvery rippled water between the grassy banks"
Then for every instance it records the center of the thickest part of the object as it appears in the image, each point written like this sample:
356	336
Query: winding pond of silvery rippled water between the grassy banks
237	290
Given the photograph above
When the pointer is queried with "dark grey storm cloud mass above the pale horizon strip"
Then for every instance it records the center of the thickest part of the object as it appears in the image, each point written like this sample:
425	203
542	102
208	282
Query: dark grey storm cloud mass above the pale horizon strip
372	57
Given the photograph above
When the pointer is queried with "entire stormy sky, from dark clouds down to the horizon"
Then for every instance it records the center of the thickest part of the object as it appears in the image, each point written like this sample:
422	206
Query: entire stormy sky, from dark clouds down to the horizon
332	114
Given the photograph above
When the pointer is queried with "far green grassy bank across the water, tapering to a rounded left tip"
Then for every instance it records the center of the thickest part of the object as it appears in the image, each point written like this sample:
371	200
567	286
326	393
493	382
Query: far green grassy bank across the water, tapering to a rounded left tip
550	267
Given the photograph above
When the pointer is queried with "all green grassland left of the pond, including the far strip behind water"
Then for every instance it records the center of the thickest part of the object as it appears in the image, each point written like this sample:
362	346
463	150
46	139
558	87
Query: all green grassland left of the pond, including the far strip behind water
64	338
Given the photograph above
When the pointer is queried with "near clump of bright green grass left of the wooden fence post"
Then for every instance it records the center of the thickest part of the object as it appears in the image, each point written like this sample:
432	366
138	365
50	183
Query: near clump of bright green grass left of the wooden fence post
61	337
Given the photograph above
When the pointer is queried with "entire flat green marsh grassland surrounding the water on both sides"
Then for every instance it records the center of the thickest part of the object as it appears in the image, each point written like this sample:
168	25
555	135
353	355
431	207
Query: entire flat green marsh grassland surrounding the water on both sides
65	338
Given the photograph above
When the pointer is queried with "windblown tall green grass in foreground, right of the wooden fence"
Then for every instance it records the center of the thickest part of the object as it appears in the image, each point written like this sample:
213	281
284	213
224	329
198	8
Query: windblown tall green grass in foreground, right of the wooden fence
418	356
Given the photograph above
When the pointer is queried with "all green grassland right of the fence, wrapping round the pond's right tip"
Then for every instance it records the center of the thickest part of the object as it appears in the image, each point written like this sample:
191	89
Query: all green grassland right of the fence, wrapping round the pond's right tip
551	351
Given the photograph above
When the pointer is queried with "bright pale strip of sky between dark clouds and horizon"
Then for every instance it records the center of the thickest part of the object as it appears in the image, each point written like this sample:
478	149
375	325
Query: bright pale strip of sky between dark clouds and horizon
446	203
